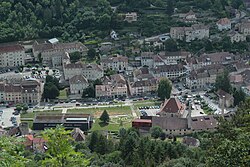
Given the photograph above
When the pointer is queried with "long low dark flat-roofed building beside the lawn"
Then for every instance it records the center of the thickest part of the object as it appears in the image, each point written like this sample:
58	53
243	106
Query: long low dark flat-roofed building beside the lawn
69	121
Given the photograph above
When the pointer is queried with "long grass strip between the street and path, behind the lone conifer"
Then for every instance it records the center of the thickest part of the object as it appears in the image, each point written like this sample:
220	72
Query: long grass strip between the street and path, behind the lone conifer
121	110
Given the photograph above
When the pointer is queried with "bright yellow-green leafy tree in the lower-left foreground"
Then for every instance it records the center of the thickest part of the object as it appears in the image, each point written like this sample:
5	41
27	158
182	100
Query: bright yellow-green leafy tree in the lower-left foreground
61	152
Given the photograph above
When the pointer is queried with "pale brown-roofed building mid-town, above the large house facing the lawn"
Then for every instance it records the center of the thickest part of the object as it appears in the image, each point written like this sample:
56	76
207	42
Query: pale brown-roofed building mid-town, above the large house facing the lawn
117	63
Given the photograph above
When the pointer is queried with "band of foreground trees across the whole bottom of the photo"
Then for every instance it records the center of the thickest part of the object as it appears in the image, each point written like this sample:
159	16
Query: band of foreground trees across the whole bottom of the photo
229	146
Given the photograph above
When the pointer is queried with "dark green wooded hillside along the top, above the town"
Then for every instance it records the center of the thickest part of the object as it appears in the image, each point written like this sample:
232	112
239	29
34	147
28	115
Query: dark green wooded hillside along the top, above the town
80	20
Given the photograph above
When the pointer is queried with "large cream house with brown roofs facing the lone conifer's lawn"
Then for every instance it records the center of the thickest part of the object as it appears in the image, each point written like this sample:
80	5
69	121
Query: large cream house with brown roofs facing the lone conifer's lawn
113	86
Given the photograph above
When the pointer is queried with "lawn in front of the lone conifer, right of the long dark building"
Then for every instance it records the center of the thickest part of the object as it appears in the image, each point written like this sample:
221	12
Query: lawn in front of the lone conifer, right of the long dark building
114	124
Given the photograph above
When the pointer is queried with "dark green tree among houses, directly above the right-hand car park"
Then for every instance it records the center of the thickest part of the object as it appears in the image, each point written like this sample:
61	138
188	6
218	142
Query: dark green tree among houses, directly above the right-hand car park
222	82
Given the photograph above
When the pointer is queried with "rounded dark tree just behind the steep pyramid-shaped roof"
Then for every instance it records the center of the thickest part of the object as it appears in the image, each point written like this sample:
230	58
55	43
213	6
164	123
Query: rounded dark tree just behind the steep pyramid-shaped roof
164	89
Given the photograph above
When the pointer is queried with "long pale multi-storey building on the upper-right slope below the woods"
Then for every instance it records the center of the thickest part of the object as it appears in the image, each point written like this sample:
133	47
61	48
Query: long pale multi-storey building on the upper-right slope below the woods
196	31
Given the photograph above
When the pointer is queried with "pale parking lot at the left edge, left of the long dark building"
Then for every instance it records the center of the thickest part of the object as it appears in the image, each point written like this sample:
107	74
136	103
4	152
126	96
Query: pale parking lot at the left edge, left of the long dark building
7	119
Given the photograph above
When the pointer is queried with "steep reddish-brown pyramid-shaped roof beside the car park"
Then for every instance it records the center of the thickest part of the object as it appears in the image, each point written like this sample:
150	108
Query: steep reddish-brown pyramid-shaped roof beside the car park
172	105
